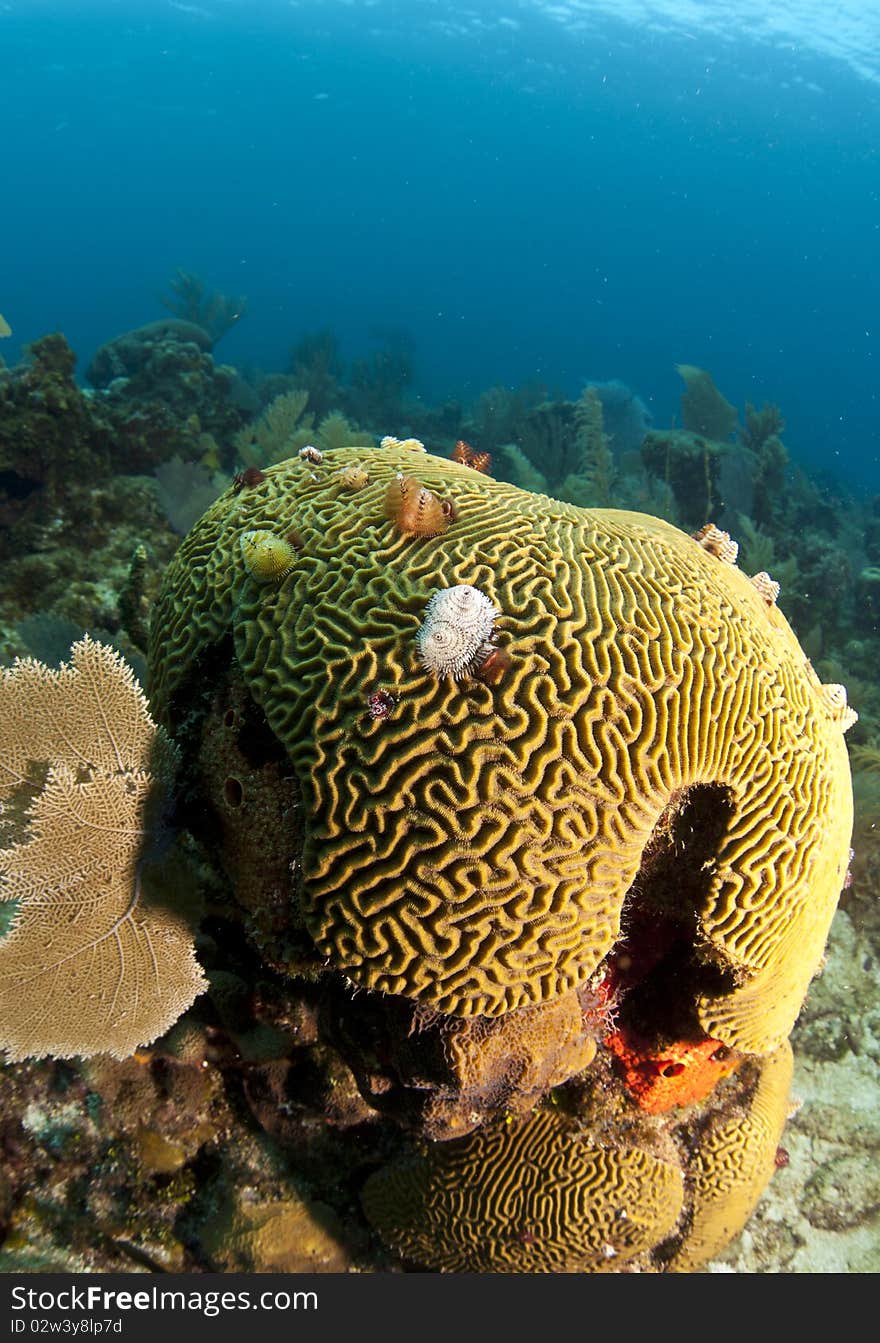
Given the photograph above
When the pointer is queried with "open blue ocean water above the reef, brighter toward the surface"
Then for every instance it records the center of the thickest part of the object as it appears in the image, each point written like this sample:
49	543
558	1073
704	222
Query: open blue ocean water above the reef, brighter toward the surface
531	191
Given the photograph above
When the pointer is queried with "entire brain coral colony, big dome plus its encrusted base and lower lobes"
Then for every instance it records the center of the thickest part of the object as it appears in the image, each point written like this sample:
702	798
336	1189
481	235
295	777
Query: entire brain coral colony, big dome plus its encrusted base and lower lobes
562	917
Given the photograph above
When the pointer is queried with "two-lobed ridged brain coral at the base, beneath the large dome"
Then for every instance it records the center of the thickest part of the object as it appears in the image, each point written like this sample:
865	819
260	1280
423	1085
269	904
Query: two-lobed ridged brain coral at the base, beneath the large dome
565	1193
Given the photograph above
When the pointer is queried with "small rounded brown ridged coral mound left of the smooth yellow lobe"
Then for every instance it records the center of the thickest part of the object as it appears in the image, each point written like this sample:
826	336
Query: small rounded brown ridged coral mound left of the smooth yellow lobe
537	1197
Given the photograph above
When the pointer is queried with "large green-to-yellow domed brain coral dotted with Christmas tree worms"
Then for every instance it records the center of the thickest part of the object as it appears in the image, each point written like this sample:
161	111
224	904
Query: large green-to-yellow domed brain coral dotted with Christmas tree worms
474	849
